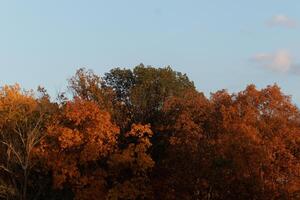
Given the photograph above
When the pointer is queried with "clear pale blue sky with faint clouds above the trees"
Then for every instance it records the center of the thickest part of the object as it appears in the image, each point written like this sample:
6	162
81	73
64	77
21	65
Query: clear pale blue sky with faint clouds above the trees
219	44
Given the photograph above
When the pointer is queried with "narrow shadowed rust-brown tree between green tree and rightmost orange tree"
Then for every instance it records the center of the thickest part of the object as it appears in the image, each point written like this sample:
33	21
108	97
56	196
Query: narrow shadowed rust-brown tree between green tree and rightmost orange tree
178	174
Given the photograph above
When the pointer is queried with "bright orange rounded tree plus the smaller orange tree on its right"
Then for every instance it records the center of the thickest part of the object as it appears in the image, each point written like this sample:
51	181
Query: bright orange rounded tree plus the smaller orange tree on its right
83	153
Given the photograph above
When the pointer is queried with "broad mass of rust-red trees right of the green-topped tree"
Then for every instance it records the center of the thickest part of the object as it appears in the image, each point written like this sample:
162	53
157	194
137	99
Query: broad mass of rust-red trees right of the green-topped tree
233	146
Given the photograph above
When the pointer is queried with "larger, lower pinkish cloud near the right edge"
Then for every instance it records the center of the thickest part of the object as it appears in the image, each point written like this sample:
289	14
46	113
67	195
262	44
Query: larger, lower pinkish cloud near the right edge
280	61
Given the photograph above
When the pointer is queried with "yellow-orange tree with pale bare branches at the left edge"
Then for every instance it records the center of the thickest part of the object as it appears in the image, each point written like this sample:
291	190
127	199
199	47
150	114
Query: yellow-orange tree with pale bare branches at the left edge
21	129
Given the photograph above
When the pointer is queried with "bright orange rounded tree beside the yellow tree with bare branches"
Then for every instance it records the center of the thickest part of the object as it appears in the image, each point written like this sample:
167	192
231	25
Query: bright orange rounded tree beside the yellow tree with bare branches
79	138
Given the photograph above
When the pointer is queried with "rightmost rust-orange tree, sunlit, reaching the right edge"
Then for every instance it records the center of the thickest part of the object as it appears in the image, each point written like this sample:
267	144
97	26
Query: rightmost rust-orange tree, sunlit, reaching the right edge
256	130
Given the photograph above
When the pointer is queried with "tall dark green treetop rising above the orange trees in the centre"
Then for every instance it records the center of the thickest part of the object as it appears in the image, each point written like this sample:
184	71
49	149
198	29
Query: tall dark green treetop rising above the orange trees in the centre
144	89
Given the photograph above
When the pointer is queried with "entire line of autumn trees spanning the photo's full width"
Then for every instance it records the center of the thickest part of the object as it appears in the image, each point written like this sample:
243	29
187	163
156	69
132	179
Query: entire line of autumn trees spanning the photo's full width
147	133
